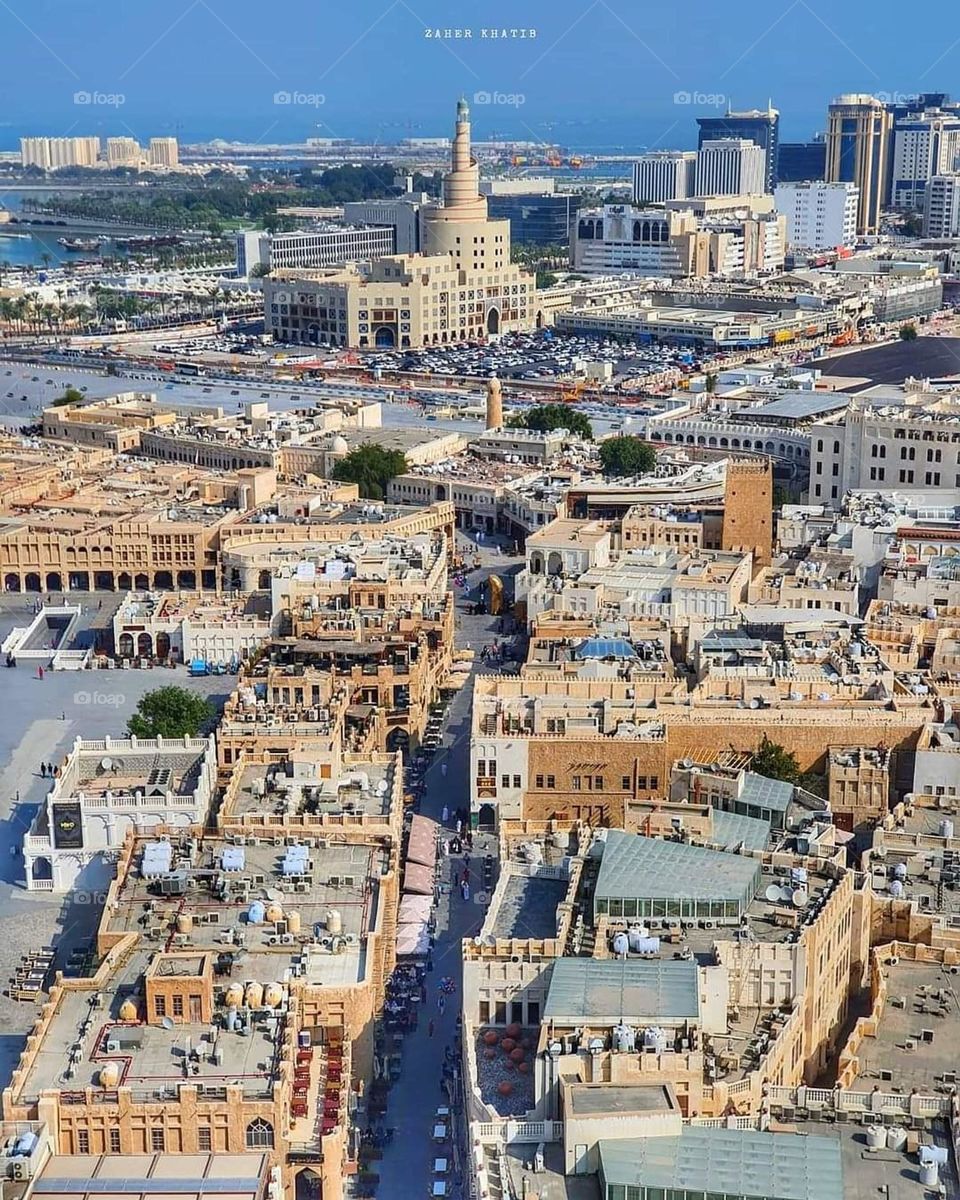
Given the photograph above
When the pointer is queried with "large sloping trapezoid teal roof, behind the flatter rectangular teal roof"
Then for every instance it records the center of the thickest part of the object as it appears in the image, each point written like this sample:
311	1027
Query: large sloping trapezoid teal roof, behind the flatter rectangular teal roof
649	868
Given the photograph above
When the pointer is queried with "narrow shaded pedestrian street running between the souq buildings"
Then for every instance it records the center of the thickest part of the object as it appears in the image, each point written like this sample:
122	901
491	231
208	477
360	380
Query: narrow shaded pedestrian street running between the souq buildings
407	1166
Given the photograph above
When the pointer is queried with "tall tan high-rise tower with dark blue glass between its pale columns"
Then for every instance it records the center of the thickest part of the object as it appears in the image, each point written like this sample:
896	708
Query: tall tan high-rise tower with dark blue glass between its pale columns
859	139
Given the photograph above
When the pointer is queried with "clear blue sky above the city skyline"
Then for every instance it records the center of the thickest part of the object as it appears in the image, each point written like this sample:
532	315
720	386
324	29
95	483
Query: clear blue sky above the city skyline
595	74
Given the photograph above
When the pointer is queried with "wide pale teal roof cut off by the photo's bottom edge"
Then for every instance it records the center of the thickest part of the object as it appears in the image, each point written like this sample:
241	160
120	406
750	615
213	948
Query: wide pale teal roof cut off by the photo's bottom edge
736	1162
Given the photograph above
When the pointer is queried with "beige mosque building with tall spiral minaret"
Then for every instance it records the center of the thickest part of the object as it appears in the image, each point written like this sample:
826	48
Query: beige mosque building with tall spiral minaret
461	289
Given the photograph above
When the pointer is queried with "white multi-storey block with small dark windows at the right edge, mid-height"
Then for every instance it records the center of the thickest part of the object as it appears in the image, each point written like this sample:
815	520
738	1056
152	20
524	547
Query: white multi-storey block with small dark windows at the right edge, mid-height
911	448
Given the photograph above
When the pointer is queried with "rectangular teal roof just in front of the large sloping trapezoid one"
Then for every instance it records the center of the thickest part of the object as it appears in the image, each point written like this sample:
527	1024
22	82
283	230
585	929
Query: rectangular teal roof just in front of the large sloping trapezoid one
641	992
